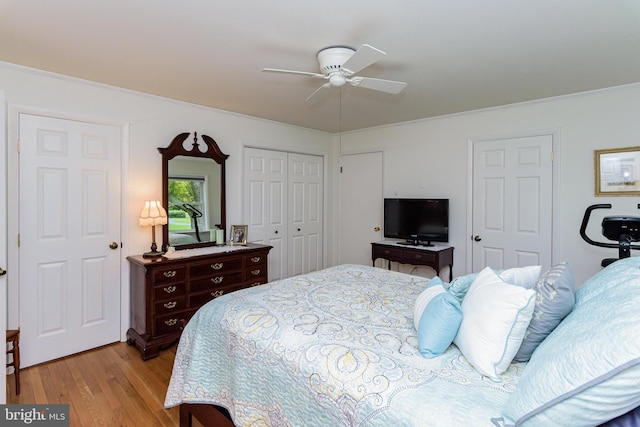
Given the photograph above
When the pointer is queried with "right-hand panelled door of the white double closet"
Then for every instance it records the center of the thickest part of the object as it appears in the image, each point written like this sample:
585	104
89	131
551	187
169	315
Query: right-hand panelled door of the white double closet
305	213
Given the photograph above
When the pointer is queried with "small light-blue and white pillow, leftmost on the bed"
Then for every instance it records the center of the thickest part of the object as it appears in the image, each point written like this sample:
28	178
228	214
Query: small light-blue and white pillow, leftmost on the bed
437	316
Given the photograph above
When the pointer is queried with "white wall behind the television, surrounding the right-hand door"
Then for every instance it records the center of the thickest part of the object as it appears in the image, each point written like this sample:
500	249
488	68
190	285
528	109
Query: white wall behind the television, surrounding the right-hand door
430	158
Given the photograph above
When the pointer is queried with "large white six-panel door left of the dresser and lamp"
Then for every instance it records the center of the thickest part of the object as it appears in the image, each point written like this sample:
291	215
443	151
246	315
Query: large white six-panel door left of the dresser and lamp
69	222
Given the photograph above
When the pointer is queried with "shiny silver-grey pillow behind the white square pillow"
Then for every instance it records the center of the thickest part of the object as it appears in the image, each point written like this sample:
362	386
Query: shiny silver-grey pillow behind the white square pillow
554	300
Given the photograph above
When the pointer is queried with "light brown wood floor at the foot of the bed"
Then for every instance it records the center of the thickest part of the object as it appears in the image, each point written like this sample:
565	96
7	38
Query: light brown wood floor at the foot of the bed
108	386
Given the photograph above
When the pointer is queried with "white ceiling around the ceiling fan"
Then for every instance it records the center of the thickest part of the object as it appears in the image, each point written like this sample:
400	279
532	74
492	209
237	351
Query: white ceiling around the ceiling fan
455	55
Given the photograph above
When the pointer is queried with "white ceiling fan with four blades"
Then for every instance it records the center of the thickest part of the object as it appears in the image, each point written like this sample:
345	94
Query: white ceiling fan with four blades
339	64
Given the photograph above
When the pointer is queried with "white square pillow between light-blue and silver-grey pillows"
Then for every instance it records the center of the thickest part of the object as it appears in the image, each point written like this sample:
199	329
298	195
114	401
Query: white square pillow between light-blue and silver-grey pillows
495	317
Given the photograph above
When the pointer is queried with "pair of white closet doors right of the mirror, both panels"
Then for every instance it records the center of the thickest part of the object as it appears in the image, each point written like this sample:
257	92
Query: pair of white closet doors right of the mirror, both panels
283	208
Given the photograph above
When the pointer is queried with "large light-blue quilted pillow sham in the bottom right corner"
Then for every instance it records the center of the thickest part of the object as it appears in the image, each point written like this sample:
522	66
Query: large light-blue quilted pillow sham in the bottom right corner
586	371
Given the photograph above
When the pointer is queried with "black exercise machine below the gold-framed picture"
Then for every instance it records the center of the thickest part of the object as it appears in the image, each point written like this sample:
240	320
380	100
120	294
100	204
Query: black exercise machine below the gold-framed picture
622	229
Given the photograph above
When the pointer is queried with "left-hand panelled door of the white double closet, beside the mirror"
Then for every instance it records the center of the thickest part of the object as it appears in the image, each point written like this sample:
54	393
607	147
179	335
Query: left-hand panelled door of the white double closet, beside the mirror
265	201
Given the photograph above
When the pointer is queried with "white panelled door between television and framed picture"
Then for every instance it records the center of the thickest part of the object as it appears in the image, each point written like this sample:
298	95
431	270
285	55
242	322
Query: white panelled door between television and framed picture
512	202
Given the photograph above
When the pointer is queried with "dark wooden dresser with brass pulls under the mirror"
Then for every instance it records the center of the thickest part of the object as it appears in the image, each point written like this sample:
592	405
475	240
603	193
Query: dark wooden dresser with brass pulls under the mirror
166	292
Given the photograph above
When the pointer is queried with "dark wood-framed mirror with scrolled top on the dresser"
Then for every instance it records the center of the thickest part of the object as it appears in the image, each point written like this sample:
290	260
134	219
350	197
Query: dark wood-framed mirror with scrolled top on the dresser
193	191
